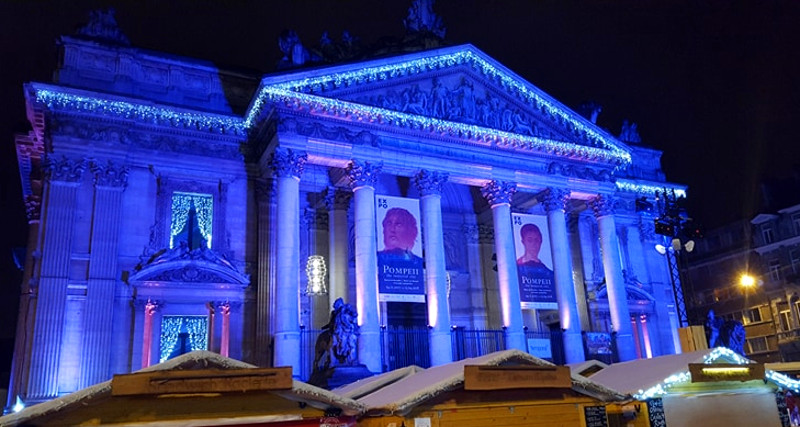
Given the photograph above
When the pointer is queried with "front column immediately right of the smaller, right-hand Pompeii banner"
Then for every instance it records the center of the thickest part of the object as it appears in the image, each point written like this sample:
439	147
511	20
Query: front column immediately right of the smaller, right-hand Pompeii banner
554	202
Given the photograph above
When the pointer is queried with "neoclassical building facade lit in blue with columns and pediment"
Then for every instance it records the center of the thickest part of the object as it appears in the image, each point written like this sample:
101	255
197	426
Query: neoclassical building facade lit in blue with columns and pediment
174	206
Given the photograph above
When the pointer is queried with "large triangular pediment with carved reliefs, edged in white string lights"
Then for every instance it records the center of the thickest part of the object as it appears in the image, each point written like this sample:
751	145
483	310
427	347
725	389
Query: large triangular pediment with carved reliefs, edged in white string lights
458	92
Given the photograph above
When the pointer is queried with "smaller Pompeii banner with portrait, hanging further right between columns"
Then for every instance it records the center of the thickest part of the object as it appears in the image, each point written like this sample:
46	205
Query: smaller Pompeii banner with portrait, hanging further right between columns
537	286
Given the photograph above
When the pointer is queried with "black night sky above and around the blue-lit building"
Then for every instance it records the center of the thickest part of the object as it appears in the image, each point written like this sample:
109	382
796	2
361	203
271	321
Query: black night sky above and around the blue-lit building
715	85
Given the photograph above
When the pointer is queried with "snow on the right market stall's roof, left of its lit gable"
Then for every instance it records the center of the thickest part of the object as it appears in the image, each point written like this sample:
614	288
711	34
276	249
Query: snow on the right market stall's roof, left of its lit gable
642	374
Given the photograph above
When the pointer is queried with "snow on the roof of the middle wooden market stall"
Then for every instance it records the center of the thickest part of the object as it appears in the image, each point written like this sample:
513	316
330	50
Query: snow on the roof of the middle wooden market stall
401	396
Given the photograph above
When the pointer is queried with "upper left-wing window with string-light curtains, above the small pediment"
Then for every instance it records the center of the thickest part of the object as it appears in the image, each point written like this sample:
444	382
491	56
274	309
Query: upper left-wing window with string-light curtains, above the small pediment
192	217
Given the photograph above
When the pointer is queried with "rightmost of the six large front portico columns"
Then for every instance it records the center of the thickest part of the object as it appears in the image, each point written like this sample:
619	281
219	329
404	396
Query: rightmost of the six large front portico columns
603	207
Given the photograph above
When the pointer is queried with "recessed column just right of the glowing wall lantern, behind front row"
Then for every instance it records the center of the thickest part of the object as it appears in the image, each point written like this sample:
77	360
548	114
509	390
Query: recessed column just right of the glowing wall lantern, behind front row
337	201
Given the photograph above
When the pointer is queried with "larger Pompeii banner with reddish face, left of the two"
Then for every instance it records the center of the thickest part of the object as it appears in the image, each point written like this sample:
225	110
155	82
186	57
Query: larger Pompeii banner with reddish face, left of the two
400	273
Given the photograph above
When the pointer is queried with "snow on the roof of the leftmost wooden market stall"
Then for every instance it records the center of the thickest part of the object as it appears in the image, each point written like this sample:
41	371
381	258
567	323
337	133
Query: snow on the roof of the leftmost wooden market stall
314	396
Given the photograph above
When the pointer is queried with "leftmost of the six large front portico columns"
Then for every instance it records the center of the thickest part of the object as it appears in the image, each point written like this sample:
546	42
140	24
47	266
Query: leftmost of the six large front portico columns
288	166
